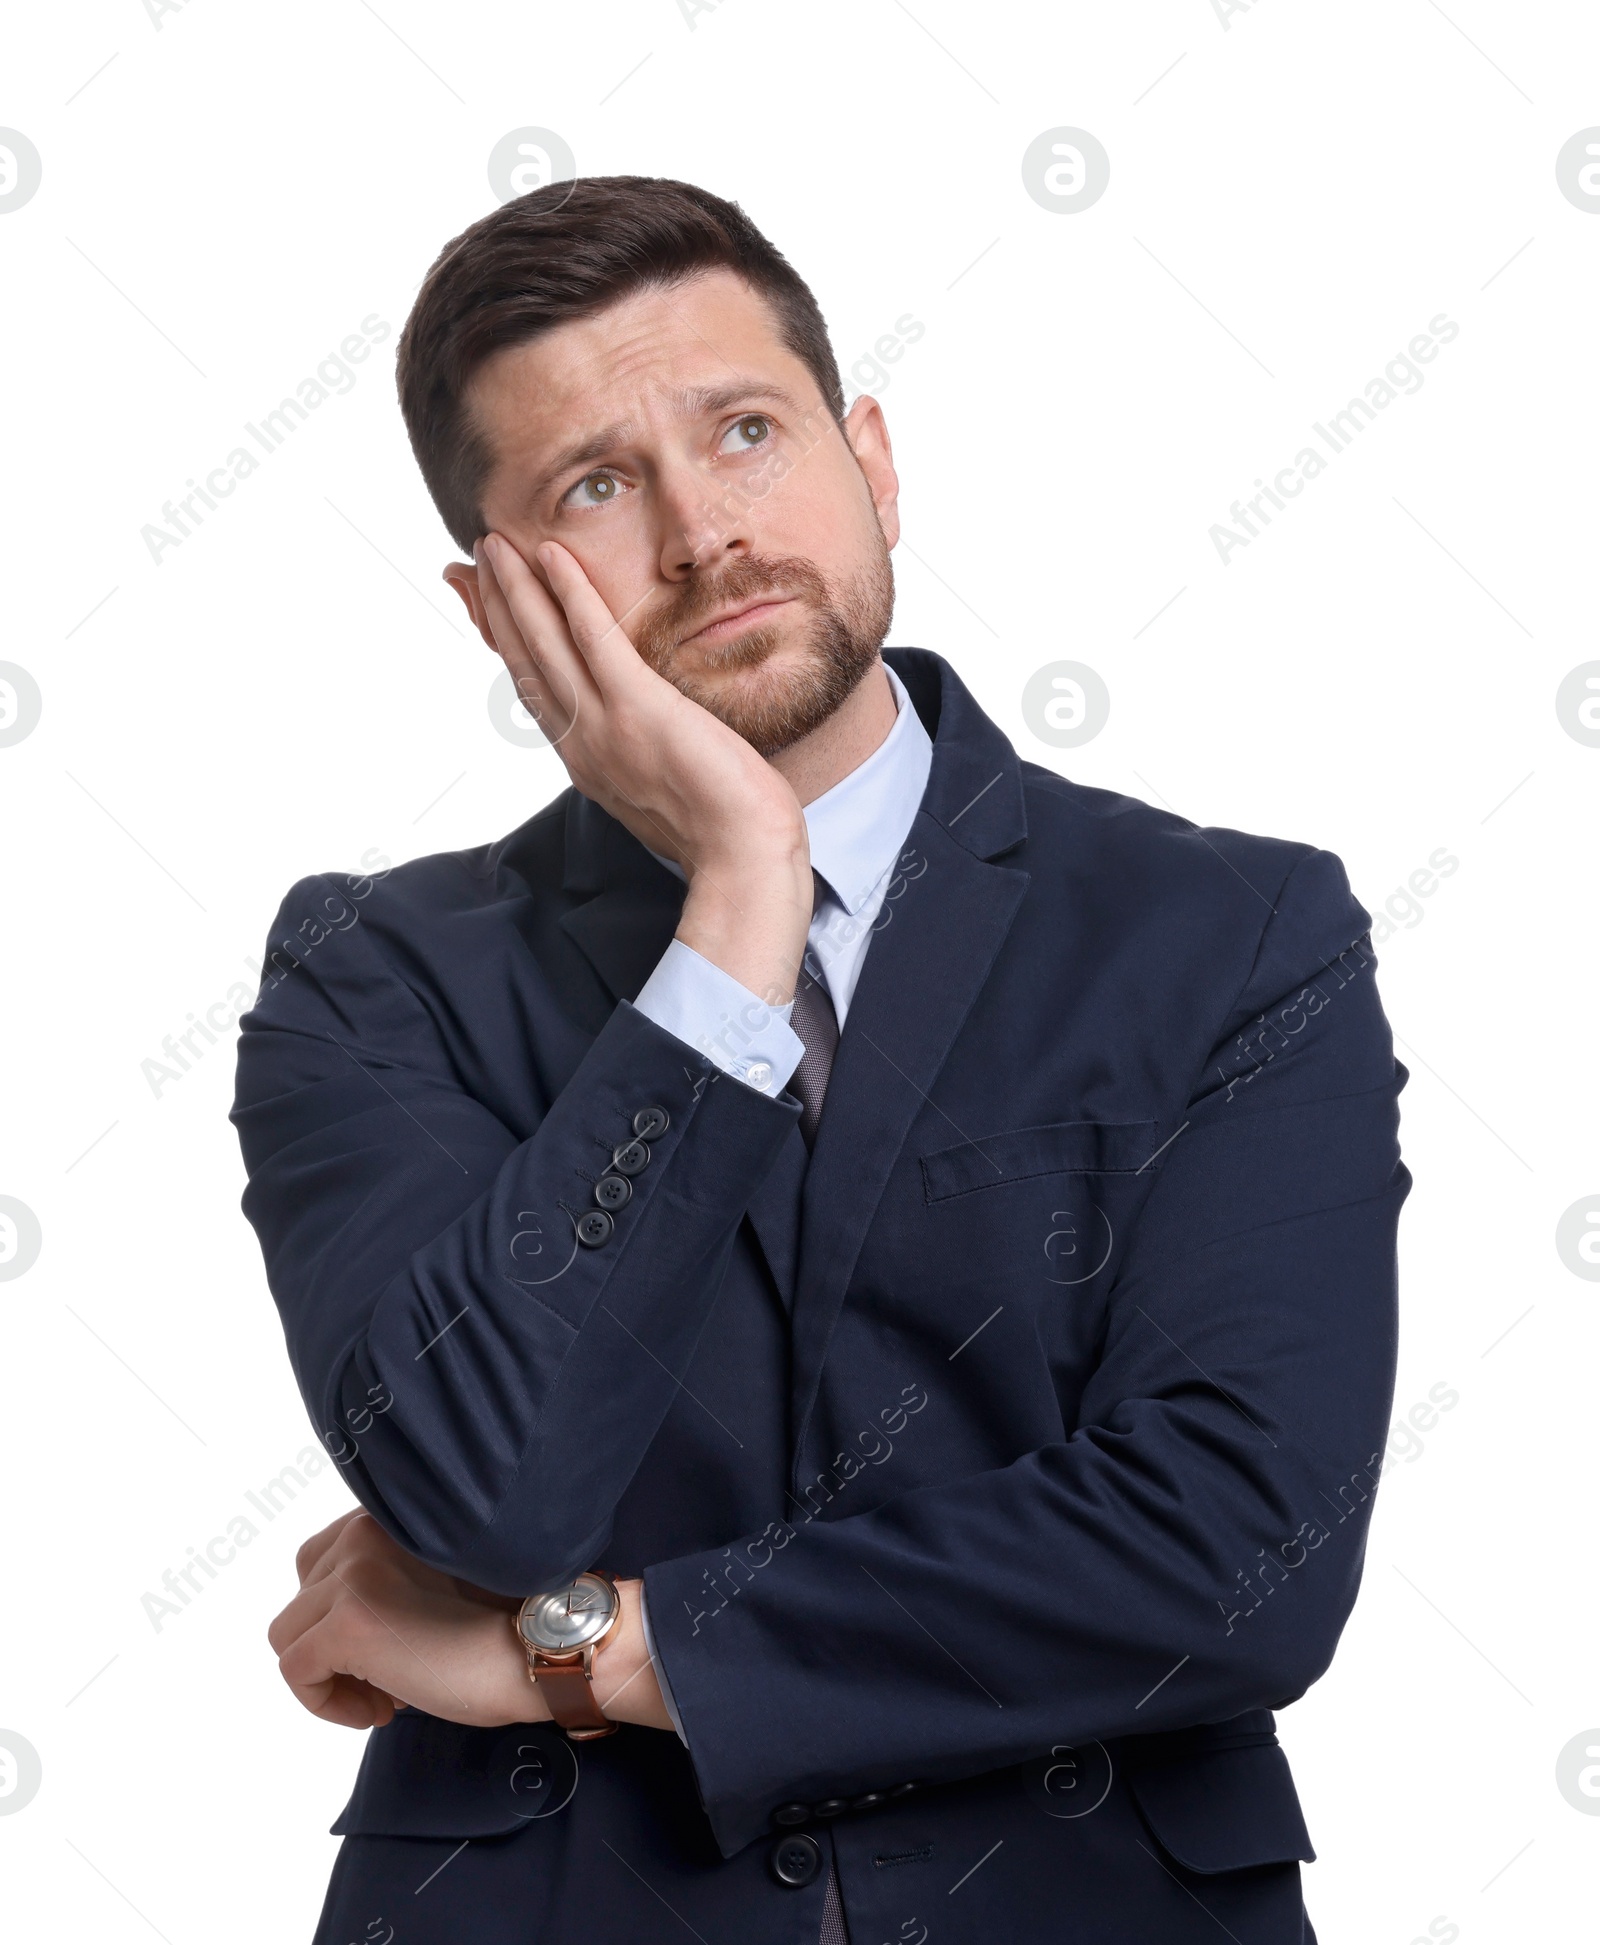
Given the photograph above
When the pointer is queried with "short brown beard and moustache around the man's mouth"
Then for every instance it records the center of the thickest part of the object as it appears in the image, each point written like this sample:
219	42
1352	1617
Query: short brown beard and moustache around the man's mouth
841	639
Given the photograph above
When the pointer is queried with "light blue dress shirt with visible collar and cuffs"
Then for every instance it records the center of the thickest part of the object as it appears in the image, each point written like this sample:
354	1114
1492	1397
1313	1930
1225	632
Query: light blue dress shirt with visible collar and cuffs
858	837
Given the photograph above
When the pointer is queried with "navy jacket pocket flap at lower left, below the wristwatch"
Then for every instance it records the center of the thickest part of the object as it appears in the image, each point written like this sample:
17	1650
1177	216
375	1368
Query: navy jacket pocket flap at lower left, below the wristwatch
423	1777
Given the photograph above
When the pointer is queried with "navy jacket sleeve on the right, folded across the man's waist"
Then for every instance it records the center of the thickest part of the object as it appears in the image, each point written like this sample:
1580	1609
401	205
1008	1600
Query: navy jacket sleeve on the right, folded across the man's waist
1193	1545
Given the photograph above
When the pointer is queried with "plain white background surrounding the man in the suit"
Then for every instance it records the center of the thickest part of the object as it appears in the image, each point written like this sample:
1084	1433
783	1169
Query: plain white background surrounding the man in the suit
1294	195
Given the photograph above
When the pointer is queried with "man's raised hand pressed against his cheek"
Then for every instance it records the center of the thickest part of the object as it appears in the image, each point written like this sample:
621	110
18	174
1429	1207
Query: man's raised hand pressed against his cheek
666	769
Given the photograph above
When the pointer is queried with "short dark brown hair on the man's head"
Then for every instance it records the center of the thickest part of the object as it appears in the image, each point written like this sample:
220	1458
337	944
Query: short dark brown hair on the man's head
567	252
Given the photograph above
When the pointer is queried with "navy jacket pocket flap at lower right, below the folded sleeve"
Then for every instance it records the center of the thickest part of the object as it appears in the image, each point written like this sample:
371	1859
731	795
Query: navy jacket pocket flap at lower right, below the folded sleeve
1224	1810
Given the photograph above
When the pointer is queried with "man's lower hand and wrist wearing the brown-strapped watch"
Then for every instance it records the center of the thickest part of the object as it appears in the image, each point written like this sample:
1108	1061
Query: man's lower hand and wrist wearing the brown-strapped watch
374	1631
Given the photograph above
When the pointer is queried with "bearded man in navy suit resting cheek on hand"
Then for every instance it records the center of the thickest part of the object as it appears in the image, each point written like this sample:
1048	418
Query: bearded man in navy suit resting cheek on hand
852	1277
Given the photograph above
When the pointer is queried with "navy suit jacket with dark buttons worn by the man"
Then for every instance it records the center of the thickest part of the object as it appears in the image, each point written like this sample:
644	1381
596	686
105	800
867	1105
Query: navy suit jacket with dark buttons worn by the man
994	1471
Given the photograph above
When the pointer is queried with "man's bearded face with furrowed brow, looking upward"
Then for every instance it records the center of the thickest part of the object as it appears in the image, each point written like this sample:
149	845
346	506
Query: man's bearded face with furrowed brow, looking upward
685	456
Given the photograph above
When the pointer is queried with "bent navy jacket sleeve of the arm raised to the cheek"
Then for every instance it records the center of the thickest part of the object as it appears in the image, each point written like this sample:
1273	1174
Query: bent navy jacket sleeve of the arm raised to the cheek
487	1382
